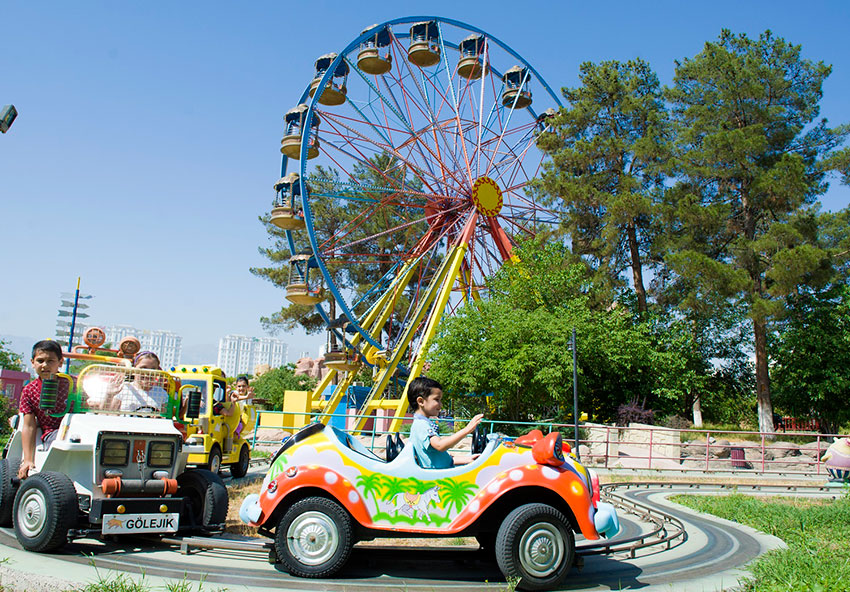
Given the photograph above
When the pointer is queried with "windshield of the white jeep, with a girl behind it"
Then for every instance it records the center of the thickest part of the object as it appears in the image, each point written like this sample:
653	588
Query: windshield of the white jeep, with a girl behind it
115	389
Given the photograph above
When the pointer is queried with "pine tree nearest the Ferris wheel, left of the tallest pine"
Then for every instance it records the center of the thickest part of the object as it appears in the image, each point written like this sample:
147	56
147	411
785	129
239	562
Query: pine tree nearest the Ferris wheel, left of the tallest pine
607	150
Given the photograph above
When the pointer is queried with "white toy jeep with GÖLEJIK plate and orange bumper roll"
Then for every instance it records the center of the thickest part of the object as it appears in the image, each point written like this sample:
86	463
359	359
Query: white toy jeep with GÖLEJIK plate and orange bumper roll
115	467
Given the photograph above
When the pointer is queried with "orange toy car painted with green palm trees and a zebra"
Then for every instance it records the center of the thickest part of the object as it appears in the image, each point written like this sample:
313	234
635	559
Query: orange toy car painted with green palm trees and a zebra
521	499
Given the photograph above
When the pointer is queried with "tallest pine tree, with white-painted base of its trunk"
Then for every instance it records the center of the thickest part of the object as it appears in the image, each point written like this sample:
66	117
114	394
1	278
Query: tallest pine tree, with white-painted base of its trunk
750	161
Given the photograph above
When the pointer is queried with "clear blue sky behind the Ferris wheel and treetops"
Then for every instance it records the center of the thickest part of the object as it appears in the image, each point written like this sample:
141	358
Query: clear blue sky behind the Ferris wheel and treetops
148	133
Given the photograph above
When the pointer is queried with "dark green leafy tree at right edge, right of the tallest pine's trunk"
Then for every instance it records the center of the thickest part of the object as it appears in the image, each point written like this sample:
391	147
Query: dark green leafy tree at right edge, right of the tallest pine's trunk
811	374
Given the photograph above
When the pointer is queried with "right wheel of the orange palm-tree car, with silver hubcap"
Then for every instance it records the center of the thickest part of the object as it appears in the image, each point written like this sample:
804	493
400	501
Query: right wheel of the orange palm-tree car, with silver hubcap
535	545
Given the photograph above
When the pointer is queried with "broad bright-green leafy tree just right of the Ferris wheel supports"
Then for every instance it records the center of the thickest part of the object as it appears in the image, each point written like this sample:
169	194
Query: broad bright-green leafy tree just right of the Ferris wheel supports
515	346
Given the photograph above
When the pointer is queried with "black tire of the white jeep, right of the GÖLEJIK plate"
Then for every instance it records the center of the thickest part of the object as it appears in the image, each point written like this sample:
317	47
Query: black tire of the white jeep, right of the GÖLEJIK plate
205	498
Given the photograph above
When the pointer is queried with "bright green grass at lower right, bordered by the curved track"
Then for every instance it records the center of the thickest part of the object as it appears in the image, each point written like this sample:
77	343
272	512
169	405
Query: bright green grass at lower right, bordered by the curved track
817	531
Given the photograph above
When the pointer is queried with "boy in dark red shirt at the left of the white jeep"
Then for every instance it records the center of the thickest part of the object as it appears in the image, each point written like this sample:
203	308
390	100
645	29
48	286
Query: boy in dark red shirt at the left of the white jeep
46	360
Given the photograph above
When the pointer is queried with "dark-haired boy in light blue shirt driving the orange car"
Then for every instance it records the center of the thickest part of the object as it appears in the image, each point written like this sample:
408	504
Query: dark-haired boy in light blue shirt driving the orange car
425	397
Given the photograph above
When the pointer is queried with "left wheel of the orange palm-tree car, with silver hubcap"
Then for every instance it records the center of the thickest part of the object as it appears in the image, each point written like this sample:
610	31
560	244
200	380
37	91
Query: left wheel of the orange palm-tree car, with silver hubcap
314	538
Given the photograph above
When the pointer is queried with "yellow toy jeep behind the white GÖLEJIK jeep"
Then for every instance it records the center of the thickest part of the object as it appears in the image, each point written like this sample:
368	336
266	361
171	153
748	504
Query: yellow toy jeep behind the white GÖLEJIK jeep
221	425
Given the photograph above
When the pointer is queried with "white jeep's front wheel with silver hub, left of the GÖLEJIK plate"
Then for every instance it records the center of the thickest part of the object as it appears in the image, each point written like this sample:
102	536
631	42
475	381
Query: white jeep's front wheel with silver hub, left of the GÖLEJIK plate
45	510
